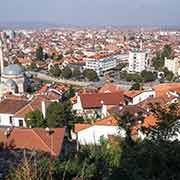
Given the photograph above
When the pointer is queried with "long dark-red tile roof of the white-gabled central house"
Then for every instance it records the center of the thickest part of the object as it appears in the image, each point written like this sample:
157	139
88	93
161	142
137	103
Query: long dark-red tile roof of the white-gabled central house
95	100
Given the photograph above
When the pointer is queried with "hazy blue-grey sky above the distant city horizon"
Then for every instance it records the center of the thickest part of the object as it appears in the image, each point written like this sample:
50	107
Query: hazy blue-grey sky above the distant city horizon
92	12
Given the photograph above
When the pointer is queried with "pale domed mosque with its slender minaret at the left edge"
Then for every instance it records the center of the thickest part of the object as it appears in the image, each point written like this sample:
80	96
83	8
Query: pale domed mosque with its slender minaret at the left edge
12	77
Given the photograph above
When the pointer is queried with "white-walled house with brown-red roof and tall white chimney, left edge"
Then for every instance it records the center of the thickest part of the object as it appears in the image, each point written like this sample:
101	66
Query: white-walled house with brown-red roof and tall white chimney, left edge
13	111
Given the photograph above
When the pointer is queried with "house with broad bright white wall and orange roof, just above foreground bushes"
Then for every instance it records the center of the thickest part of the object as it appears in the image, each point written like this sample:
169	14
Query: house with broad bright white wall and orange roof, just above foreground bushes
92	133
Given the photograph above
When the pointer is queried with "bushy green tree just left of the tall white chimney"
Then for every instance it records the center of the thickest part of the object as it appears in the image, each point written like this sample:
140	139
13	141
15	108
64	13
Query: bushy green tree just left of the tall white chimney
35	119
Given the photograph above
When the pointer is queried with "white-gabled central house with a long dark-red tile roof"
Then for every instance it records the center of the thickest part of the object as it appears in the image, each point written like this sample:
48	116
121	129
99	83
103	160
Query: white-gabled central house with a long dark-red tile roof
97	104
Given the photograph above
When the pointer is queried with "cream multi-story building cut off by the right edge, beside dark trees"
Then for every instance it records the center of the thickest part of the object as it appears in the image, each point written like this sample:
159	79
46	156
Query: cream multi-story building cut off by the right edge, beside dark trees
173	65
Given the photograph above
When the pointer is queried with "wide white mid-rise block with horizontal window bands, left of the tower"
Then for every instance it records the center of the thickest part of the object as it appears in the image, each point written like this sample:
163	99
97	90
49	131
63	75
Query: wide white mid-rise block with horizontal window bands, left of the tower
101	65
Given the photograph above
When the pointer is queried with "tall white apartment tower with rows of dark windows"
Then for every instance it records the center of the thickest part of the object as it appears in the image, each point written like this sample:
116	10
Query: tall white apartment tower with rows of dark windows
138	61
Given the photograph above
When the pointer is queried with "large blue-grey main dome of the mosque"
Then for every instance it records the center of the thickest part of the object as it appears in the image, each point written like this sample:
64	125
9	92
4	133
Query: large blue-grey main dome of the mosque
13	70
